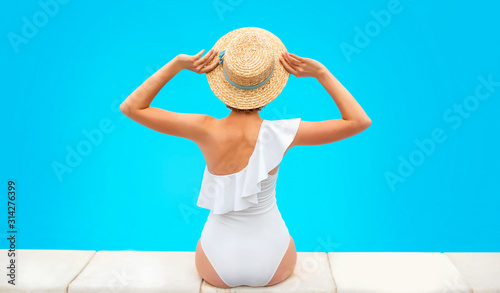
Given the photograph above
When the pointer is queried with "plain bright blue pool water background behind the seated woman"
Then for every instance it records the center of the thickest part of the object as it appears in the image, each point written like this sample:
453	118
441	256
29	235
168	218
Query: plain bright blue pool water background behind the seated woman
136	188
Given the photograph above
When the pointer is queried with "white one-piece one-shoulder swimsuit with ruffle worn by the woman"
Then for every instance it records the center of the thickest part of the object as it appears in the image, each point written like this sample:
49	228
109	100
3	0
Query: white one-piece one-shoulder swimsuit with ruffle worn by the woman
245	237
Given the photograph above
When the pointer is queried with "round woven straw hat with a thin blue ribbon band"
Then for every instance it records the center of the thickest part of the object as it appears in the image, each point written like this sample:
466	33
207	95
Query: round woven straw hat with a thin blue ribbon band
250	74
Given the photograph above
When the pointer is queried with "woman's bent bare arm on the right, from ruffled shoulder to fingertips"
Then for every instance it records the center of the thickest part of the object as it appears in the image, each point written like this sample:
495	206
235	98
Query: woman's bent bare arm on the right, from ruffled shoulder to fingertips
354	119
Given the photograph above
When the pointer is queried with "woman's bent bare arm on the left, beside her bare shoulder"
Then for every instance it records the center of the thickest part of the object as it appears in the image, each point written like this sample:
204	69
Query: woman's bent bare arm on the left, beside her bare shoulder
136	106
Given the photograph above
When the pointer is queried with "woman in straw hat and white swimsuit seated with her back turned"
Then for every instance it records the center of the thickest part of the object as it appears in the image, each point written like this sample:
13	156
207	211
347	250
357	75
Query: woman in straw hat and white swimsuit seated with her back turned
245	241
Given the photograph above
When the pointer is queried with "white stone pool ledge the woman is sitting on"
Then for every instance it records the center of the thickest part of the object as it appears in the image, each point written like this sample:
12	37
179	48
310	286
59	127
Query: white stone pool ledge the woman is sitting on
78	271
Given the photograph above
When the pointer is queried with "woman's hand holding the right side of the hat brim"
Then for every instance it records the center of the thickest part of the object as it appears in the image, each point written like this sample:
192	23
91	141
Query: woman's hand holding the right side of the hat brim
301	67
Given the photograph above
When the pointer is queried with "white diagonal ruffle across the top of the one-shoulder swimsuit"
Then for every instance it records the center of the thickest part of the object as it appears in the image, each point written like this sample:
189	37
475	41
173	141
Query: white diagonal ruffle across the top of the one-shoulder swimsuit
238	191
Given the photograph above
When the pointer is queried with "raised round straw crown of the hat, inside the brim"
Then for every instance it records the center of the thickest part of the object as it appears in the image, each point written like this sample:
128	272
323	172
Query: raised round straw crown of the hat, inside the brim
249	59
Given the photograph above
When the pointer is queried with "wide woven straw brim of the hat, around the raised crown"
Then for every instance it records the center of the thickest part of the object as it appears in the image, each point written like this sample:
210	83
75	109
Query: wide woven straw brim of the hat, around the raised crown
255	98
